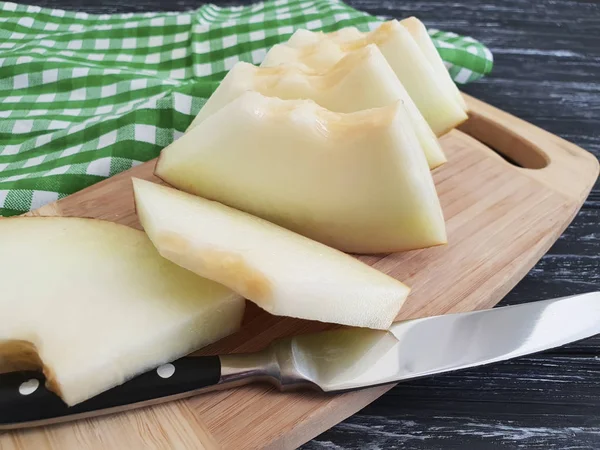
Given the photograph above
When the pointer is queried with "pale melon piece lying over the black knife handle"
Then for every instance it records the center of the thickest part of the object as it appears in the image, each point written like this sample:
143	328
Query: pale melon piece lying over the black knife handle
92	304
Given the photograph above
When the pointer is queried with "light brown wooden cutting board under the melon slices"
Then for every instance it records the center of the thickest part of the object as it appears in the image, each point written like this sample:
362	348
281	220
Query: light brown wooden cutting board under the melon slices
501	219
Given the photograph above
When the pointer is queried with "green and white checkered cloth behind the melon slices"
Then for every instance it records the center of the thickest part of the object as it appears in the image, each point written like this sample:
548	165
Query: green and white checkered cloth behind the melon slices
83	97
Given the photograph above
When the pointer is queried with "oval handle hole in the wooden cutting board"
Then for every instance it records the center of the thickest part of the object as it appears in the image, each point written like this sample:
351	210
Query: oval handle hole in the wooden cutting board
512	147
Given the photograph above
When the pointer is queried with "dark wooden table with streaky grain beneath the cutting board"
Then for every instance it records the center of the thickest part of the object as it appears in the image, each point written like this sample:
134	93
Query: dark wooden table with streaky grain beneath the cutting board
547	71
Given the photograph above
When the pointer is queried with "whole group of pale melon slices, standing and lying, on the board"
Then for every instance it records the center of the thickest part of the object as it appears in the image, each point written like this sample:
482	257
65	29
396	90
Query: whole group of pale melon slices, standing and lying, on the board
326	148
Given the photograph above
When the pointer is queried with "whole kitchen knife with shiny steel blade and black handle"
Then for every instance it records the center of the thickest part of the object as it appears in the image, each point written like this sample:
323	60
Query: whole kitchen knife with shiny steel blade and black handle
331	361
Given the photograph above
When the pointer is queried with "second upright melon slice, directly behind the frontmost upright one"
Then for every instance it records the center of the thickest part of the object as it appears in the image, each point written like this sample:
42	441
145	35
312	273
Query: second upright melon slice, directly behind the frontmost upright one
365	74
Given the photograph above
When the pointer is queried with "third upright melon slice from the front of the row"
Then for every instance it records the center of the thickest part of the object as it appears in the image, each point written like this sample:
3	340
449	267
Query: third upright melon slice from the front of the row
427	86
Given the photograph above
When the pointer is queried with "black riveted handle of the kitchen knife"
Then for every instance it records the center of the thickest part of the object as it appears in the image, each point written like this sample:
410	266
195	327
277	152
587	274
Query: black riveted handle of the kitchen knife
25	401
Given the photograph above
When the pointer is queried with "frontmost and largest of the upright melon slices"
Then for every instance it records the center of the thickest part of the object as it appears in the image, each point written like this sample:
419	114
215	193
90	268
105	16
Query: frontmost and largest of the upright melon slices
358	182
